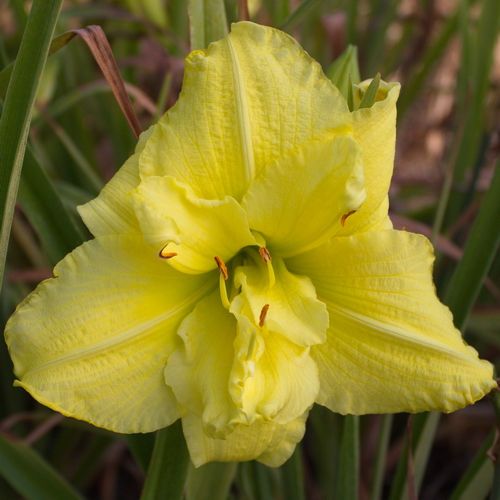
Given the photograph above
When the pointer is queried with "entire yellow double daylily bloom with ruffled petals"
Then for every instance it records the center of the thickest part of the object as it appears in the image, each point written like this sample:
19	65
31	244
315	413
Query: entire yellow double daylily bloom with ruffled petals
244	267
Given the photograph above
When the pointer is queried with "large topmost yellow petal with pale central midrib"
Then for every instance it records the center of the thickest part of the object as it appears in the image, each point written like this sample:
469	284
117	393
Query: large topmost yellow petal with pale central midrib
245	101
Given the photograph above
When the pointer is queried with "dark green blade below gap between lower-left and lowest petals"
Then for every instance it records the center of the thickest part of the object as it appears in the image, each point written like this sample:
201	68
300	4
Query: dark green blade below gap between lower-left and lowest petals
168	467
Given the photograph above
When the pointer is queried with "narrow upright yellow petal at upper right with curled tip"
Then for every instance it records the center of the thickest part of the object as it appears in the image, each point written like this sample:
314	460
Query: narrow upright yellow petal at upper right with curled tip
375	132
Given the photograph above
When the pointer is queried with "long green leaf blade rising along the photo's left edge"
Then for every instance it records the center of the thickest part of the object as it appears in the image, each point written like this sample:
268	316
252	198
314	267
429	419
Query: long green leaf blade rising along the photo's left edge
16	115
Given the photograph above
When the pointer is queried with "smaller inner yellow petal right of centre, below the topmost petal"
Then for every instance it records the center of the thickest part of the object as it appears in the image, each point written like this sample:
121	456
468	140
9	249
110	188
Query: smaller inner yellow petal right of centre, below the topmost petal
299	202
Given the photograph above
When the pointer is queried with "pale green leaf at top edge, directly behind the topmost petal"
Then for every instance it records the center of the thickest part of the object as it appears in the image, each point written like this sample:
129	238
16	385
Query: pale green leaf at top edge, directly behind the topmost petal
207	22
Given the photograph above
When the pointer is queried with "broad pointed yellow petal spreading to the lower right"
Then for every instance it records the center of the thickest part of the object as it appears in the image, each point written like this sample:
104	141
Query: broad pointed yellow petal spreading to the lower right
391	345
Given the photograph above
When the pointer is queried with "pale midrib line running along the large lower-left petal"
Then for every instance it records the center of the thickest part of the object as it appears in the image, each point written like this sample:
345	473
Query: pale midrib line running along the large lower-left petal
122	338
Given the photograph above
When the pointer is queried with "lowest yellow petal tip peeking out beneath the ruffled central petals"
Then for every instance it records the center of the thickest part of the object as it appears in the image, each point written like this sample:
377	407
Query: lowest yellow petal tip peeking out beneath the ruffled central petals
268	442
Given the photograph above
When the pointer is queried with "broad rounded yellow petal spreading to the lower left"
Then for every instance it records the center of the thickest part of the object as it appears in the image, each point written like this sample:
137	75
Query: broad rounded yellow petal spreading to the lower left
92	342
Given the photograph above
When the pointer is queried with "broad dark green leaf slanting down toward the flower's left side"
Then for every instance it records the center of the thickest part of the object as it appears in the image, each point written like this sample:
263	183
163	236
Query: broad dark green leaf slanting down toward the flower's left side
45	211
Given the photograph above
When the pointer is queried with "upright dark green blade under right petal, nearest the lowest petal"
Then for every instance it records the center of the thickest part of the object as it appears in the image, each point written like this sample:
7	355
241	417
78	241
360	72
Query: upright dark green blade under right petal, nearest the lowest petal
347	477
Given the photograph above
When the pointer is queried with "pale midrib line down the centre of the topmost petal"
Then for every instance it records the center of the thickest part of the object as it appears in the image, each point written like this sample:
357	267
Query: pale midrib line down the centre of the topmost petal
244	127
